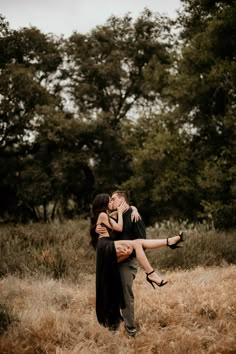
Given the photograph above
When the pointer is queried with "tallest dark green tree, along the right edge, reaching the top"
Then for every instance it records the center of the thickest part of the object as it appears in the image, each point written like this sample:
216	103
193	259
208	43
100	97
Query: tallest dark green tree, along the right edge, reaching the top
205	90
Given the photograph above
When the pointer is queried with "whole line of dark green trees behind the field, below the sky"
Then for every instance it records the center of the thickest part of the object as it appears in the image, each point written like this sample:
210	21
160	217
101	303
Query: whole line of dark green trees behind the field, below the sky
145	104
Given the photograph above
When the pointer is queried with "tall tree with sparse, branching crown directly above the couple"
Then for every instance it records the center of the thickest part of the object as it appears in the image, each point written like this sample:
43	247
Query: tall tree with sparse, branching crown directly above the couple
111	74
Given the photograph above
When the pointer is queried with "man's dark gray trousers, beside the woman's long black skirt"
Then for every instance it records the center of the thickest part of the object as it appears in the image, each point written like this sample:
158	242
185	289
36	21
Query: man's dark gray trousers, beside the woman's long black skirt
128	271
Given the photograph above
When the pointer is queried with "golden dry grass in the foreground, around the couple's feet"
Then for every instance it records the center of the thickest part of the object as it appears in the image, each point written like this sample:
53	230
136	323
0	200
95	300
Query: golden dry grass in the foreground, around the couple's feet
194	313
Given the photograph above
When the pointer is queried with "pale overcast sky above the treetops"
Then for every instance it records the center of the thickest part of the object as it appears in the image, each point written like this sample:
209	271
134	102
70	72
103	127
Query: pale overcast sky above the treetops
65	16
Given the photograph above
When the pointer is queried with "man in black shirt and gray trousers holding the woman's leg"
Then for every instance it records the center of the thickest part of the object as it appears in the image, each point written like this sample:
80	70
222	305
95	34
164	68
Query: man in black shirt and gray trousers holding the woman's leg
128	268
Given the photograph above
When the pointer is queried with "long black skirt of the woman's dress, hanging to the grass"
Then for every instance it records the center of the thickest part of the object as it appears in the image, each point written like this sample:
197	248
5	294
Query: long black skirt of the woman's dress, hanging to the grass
109	295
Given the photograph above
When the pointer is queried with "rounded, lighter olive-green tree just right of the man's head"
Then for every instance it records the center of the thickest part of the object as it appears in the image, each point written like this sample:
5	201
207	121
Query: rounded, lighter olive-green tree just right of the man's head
161	183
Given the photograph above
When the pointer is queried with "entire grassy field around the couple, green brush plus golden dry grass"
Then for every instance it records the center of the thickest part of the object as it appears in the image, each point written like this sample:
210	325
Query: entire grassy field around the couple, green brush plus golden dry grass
47	293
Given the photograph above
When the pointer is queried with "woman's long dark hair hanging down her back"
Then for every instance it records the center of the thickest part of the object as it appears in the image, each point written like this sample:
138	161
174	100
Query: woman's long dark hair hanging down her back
99	205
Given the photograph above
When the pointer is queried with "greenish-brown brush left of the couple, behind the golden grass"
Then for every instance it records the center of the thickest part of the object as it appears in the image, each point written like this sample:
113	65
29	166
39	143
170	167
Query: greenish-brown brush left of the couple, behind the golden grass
55	250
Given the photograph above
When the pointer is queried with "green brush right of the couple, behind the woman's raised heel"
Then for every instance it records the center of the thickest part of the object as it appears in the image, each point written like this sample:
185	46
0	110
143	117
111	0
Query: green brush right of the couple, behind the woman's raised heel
203	246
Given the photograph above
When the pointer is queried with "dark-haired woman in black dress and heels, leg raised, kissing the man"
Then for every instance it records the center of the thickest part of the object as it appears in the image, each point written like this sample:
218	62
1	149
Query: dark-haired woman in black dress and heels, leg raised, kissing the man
109	296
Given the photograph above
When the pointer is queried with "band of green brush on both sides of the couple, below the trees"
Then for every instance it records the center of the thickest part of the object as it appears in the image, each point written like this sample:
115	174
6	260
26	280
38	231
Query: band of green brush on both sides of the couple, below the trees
63	251
